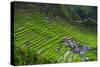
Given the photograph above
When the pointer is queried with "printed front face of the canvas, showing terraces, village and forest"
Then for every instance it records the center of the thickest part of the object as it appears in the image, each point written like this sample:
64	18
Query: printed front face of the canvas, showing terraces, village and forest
54	33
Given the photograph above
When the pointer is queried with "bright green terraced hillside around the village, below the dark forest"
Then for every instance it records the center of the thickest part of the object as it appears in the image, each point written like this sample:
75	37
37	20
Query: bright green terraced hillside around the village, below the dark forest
39	39
